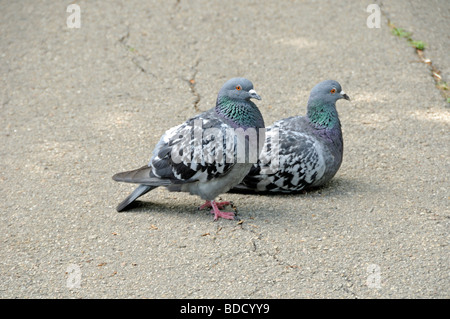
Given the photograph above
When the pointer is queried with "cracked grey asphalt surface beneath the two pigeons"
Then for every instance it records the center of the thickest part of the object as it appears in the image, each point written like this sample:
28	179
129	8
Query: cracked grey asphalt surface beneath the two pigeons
78	105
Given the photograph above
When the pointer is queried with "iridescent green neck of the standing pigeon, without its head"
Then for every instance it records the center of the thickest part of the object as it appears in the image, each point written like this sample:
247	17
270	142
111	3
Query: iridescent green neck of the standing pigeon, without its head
238	113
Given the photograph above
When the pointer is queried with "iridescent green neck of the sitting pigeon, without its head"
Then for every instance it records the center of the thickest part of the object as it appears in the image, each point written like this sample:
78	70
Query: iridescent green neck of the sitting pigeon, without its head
323	115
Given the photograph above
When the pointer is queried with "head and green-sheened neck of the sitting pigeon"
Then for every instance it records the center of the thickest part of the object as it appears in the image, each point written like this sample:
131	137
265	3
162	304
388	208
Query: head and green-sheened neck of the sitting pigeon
322	104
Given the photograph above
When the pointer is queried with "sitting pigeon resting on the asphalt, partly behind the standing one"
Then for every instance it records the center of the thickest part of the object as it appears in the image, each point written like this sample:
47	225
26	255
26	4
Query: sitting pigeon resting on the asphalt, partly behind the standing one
301	152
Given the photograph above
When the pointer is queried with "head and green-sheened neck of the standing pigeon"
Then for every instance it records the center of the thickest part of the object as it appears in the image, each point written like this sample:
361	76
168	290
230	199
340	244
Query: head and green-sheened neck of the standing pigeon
234	105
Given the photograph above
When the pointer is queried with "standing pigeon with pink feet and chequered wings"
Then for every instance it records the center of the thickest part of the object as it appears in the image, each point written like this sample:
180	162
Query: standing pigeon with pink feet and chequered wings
200	156
